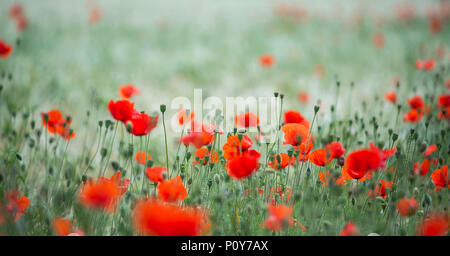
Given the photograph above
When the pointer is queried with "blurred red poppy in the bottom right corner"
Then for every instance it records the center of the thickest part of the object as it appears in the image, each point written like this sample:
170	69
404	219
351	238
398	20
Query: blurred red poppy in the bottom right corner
435	224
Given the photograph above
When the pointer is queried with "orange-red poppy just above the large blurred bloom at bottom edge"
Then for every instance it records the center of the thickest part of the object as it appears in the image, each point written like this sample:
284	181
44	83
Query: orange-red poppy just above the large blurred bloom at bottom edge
172	190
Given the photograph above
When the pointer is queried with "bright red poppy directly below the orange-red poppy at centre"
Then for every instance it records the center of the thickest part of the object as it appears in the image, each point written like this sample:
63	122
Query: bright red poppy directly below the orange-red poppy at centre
243	165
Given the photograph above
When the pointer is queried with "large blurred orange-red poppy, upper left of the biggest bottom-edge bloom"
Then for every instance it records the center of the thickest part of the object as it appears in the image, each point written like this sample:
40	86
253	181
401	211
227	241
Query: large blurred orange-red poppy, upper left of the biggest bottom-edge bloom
100	194
